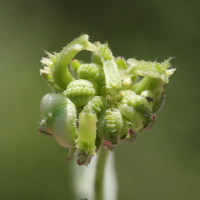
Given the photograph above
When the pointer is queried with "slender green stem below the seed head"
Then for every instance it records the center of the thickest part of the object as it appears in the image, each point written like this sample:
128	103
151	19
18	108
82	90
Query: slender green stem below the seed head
99	173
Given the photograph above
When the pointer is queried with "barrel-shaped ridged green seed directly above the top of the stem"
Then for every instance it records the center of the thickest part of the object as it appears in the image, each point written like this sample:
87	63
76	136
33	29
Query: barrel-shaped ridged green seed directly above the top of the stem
110	126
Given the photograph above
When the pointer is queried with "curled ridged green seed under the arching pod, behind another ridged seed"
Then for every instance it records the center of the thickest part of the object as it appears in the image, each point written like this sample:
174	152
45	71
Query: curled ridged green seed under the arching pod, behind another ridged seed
93	73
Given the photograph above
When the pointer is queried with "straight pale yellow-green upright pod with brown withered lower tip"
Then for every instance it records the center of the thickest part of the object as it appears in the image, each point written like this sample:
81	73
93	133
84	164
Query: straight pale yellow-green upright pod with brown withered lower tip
85	142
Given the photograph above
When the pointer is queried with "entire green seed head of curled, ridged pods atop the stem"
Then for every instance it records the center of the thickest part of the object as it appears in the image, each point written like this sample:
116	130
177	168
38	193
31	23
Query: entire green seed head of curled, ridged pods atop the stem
102	103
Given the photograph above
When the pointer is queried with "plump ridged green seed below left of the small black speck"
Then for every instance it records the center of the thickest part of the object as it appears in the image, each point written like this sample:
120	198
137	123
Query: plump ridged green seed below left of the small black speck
137	110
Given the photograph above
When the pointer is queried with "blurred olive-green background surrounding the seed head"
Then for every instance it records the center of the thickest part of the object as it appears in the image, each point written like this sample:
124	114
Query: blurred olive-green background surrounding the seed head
162	164
